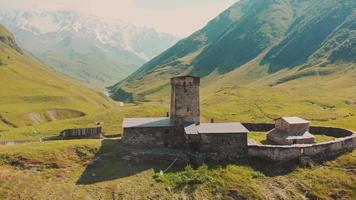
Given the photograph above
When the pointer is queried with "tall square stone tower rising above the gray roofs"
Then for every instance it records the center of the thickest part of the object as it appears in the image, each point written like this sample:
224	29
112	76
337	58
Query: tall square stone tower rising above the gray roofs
185	106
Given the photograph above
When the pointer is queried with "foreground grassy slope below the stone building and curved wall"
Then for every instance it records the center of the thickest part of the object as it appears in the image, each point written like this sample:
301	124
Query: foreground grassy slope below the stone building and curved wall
67	169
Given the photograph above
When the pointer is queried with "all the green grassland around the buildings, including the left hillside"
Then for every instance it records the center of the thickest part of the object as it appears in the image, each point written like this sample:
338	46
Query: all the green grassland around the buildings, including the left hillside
37	102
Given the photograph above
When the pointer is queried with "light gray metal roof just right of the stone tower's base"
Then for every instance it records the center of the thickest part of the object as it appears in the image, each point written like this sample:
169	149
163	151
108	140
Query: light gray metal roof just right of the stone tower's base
221	128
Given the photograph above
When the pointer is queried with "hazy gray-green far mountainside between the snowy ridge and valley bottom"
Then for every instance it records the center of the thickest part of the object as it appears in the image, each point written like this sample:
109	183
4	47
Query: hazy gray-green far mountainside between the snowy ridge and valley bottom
80	58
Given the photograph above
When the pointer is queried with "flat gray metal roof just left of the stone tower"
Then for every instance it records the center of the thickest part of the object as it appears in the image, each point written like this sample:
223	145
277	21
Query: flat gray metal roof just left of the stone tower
147	122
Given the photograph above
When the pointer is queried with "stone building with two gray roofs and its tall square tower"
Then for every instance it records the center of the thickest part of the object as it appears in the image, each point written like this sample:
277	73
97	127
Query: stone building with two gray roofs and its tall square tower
183	128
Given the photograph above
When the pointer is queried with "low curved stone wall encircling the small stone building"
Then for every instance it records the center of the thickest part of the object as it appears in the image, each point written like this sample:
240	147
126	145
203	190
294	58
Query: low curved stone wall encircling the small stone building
346	141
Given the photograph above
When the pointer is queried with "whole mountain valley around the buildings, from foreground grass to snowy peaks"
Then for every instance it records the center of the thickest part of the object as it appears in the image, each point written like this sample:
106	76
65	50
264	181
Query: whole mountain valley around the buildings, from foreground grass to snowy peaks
255	67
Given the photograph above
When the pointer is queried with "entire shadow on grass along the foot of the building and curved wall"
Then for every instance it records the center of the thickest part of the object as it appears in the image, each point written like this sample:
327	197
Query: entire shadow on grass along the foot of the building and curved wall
109	163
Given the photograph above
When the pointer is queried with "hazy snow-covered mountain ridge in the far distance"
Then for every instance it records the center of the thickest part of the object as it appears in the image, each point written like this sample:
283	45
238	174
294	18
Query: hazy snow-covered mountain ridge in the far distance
115	33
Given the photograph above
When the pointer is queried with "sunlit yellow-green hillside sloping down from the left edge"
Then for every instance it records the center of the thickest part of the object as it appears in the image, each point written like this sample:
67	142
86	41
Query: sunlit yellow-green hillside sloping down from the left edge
31	93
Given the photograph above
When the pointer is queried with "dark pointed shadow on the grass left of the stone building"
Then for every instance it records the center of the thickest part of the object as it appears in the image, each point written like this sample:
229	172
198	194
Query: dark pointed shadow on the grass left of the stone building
109	164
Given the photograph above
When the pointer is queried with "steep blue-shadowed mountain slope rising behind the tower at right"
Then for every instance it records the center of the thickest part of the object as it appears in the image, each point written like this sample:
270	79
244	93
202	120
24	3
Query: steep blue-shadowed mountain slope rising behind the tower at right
267	42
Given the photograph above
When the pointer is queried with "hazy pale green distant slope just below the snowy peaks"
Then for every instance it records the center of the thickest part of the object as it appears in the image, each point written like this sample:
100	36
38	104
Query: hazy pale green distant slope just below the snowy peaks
83	66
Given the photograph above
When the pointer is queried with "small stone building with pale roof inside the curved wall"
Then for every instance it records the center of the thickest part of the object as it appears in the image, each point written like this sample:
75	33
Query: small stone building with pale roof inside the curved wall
291	130
